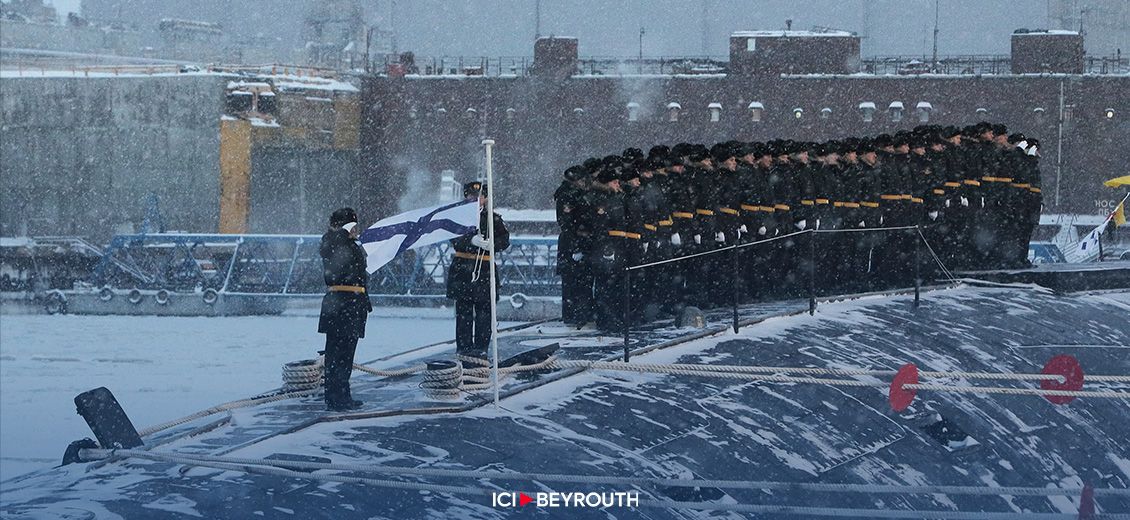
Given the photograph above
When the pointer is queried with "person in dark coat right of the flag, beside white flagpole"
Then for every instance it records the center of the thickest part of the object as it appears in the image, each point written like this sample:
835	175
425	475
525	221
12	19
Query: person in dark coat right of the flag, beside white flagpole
470	279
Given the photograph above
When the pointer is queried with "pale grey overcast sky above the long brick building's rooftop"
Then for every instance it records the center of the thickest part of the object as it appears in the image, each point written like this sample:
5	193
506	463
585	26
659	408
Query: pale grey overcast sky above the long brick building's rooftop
675	28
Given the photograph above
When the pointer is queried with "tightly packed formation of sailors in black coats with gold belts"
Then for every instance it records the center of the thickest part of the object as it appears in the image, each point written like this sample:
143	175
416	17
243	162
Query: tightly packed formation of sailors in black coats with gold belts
972	193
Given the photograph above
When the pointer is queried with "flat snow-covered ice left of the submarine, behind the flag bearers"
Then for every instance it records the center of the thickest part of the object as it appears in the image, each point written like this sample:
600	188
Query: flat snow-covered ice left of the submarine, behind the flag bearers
159	368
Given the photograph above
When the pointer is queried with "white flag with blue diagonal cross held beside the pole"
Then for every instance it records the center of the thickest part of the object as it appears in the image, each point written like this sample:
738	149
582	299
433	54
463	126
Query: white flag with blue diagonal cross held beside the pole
418	229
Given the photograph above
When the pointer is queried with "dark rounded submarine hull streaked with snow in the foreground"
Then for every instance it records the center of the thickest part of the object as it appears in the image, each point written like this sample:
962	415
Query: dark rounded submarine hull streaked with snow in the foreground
677	427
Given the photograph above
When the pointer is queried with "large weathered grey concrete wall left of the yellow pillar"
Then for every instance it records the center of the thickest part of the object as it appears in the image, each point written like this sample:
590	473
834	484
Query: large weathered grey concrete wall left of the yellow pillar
80	155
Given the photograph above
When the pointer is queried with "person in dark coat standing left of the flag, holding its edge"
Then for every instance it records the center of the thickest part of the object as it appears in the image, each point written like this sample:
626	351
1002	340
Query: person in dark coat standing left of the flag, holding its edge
345	307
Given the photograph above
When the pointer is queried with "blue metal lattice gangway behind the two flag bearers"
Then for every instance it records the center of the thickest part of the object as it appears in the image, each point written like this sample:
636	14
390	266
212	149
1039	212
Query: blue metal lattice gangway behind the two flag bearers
291	266
